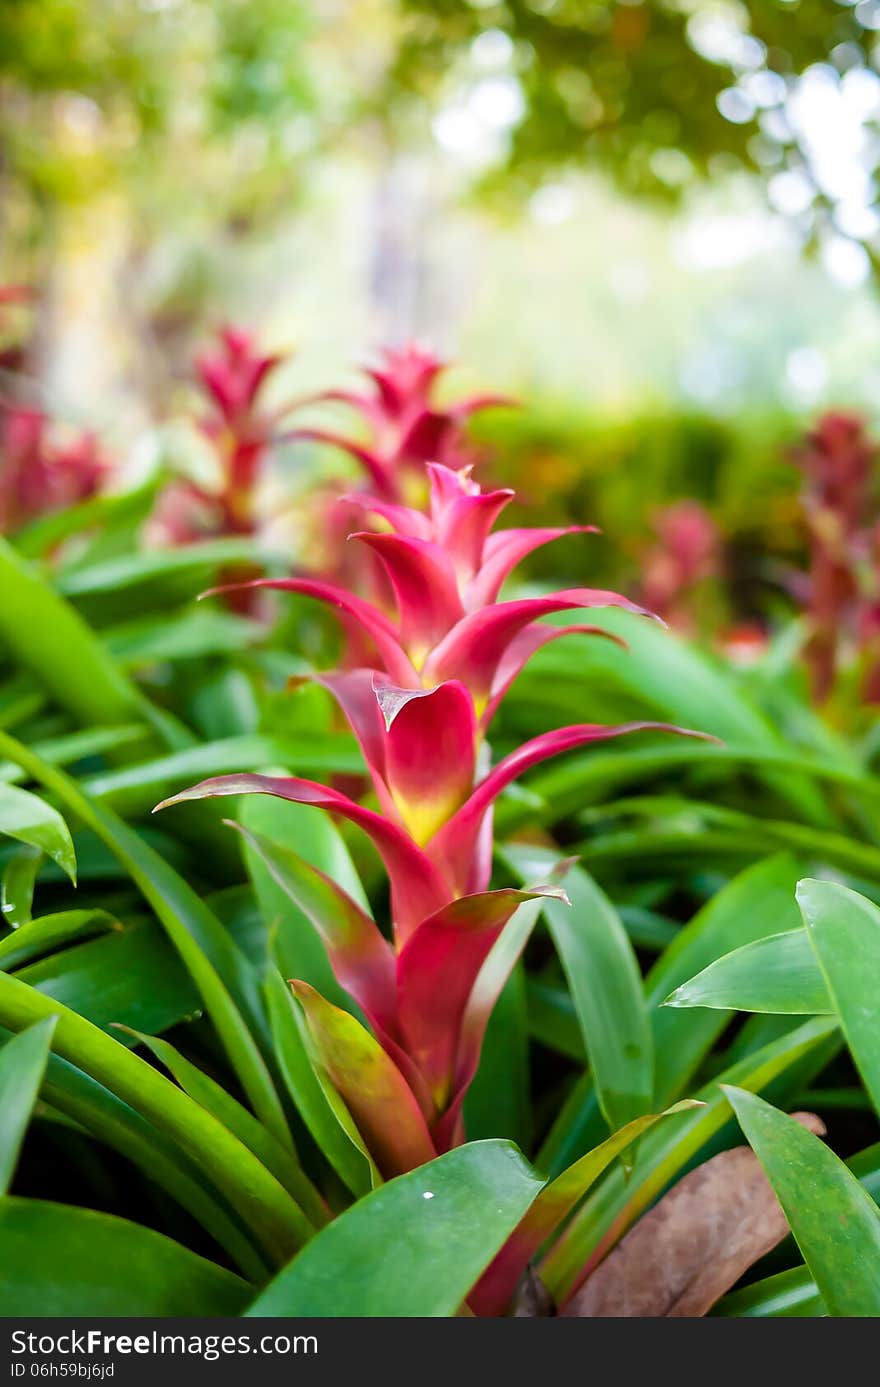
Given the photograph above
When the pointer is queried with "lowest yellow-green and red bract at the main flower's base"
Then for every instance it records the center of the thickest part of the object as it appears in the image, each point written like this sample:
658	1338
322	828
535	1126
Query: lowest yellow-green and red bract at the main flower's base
370	1084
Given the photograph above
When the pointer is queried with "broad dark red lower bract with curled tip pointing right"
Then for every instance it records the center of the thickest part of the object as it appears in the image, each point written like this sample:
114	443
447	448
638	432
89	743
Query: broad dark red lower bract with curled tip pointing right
437	972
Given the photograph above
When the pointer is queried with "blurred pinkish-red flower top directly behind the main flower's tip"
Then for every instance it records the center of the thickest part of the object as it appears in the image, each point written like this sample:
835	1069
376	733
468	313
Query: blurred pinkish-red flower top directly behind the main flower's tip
407	429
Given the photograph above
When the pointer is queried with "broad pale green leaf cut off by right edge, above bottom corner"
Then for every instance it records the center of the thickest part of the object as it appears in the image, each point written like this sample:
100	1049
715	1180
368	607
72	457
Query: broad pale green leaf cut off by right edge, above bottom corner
845	930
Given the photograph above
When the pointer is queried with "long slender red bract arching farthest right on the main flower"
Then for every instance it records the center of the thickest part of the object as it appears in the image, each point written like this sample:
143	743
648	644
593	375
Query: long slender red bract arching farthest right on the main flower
452	847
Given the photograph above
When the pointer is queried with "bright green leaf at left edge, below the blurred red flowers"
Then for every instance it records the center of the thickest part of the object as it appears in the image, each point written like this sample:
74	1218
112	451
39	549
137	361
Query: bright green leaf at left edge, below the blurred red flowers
51	640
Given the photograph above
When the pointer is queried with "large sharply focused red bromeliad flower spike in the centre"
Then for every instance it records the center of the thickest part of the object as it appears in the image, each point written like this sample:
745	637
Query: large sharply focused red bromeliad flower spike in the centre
421	716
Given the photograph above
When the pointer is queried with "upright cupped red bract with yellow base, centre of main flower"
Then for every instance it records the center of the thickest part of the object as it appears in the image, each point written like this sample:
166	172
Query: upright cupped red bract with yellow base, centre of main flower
430	754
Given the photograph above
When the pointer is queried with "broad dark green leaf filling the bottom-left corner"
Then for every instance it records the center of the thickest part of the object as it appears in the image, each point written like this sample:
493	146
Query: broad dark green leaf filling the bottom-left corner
62	1261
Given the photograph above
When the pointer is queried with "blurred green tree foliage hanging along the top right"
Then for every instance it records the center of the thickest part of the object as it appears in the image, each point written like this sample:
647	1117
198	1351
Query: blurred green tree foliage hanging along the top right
621	84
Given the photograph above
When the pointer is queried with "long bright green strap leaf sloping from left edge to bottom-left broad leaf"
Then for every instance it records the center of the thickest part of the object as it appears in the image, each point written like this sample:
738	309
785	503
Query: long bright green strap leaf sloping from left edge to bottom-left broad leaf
274	1217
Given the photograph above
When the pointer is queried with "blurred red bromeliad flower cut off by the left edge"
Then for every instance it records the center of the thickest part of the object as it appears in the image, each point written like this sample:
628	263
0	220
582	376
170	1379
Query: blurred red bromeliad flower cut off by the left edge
38	476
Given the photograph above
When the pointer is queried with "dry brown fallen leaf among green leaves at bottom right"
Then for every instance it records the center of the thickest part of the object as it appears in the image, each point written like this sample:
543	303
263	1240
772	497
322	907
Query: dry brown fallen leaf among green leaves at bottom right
695	1245
